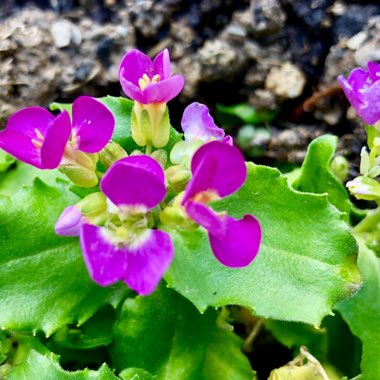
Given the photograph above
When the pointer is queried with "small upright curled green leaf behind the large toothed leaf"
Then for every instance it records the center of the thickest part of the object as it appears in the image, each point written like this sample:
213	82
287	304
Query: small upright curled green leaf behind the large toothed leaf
316	175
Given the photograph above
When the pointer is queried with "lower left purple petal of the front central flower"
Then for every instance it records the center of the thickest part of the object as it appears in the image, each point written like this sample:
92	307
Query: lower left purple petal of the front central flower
105	263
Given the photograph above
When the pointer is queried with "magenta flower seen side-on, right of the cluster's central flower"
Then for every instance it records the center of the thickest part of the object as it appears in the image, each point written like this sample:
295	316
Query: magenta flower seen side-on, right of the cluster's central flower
219	170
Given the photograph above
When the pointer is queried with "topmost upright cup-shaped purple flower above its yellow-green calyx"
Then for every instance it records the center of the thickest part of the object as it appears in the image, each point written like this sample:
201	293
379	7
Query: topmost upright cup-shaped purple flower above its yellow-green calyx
149	82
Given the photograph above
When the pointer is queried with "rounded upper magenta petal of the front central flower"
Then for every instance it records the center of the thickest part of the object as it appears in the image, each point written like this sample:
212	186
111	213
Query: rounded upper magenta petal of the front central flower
135	180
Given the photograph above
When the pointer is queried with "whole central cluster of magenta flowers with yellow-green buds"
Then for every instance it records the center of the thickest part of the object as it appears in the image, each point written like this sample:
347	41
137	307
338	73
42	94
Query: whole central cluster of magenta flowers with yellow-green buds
124	225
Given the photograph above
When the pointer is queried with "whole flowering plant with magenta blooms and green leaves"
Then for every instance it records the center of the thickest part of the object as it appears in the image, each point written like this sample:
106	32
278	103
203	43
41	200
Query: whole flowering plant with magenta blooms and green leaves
135	241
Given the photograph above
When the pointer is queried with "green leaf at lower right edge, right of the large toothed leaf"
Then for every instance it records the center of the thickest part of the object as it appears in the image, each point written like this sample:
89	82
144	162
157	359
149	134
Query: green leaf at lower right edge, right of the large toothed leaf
362	312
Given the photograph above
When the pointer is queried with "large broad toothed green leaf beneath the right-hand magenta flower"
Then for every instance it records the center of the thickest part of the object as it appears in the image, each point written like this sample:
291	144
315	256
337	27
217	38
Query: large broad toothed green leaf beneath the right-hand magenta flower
306	263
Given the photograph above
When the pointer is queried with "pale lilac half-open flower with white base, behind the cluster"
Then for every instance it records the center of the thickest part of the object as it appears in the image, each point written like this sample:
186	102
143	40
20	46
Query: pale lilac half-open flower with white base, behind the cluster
198	124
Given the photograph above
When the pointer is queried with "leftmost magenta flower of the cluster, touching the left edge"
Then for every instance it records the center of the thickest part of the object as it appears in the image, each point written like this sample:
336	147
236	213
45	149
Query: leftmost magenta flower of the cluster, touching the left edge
33	135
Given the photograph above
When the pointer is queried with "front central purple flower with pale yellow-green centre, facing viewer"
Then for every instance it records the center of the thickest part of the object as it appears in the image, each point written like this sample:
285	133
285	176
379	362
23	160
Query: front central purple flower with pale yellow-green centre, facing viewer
125	248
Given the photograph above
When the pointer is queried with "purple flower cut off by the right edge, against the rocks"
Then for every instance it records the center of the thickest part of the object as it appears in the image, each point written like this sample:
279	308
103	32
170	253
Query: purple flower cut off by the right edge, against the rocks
362	89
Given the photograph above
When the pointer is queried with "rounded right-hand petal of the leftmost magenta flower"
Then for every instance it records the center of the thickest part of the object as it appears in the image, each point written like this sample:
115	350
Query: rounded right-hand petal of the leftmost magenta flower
93	124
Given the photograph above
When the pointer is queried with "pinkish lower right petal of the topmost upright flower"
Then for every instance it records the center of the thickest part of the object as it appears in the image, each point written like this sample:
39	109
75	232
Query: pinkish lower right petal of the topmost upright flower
163	91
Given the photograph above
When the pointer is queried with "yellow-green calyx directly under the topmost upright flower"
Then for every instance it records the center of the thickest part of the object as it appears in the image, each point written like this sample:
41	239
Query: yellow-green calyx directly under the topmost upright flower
150	124
